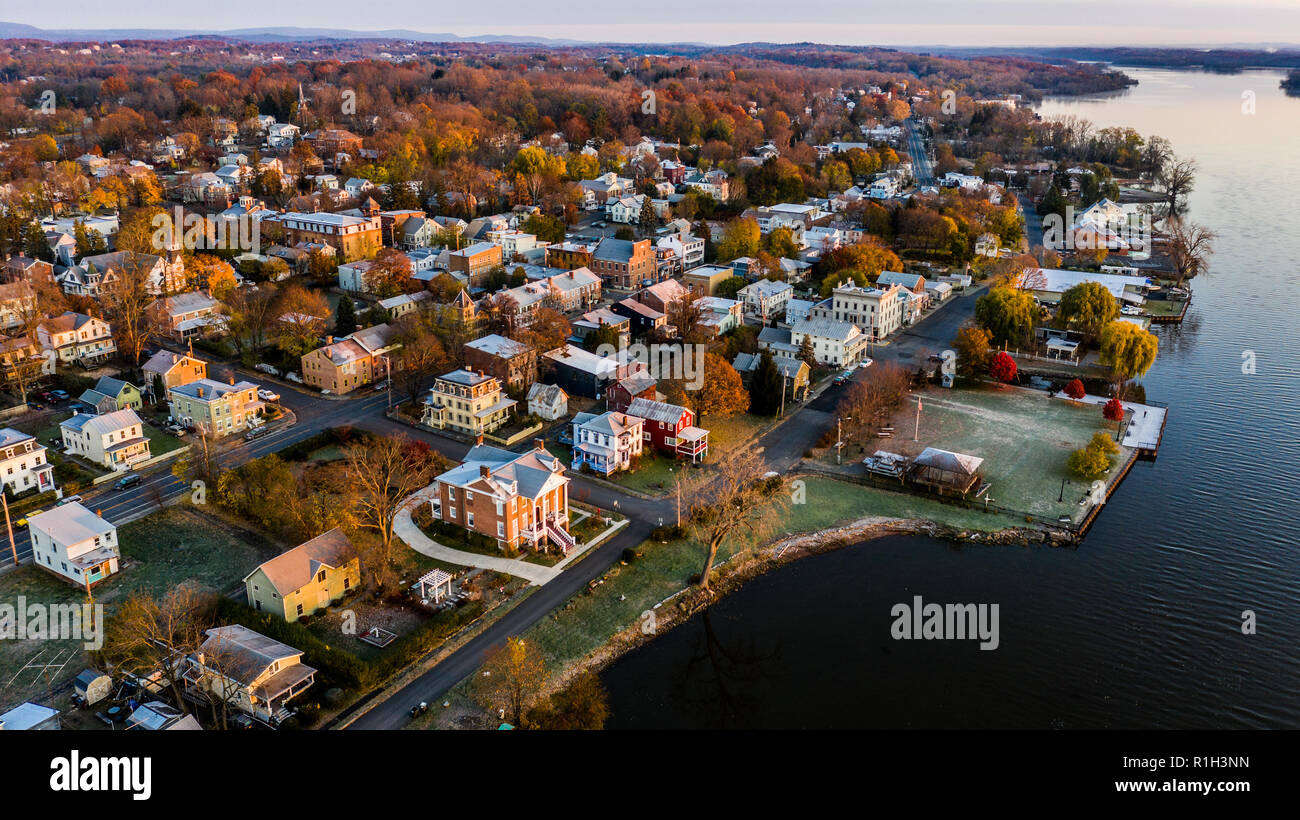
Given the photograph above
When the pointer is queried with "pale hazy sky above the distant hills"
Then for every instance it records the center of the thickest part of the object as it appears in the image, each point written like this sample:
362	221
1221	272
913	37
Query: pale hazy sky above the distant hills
853	23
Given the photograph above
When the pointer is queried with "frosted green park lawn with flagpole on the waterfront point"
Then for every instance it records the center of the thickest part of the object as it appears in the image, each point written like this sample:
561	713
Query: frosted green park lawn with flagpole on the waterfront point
1024	437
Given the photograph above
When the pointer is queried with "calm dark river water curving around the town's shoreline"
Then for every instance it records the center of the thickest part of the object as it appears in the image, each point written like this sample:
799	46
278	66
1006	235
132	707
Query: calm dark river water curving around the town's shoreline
1141	626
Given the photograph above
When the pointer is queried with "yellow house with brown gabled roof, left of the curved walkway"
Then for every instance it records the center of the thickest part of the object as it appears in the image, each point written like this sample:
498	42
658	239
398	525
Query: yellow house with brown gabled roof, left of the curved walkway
305	579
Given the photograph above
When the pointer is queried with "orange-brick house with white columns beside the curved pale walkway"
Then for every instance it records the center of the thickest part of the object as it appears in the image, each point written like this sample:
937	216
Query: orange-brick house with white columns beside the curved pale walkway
517	500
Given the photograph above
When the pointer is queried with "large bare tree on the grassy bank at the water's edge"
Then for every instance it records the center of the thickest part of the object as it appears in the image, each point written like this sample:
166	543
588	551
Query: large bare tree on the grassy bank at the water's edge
731	500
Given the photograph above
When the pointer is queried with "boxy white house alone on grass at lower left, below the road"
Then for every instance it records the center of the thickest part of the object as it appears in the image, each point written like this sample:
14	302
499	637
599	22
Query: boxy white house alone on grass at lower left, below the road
73	543
